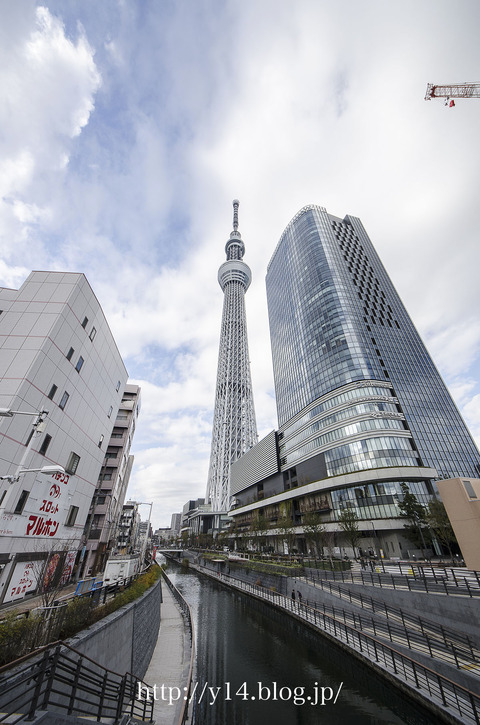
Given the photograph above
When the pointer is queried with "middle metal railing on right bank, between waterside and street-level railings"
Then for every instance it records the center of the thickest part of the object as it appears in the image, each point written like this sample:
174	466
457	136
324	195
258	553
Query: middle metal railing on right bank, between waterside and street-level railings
459	642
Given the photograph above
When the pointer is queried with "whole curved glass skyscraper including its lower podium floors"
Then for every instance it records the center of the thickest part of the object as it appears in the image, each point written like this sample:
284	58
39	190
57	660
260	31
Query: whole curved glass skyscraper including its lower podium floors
362	409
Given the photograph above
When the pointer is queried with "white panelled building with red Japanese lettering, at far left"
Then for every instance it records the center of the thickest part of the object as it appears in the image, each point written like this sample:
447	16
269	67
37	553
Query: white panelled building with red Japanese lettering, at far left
57	354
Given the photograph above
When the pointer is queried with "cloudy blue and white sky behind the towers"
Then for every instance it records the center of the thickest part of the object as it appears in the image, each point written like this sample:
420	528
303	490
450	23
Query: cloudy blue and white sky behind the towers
128	126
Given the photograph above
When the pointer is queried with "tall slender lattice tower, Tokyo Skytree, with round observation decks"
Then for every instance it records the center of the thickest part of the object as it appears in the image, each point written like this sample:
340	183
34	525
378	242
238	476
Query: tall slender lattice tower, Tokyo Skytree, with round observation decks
234	424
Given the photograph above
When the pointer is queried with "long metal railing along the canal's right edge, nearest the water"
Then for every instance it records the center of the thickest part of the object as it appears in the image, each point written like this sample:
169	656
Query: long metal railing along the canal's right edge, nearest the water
433	687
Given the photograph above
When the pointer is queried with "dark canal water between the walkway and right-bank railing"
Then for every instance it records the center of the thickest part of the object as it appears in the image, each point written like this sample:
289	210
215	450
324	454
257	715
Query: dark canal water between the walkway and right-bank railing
263	667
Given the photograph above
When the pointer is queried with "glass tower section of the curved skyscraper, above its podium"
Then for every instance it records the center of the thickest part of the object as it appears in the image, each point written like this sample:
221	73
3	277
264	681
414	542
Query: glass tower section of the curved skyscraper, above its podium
353	379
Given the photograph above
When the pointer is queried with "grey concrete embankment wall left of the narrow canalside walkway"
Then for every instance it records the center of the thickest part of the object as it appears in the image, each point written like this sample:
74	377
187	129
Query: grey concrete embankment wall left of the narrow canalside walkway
124	641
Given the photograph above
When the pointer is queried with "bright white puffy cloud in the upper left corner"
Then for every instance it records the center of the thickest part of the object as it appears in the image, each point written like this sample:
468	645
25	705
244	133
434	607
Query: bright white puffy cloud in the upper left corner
47	86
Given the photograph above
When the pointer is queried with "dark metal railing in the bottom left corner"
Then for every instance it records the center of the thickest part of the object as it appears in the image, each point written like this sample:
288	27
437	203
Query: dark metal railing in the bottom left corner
59	678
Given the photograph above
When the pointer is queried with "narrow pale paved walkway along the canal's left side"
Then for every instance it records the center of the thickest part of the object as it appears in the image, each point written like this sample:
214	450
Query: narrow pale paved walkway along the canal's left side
168	670
